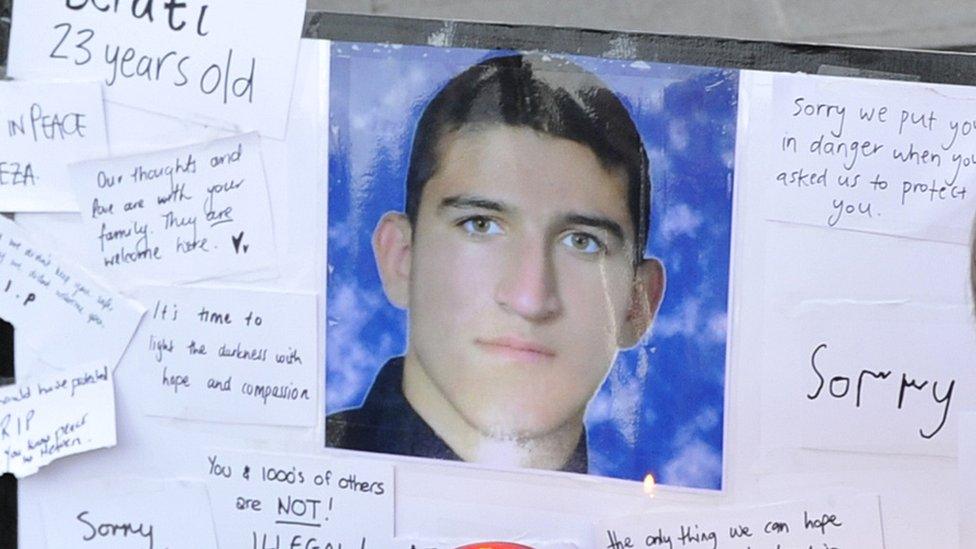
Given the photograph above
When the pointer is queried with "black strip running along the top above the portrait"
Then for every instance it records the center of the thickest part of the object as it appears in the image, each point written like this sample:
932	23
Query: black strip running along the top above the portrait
927	66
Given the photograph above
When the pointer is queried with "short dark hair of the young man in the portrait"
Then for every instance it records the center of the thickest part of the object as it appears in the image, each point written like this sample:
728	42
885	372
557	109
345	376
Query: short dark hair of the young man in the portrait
550	95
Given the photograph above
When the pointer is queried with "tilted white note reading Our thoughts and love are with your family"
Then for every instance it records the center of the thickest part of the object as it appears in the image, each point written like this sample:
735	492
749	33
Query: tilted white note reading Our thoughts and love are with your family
179	215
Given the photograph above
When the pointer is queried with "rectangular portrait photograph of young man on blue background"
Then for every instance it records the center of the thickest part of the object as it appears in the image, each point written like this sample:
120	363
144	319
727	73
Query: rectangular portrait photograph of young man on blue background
528	260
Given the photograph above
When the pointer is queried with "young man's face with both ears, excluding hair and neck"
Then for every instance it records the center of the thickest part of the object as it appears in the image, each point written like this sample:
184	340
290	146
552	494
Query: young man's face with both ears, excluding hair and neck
519	278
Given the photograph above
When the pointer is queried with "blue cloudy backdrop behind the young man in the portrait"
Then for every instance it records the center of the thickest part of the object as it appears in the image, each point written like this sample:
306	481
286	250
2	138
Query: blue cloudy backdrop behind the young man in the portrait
661	408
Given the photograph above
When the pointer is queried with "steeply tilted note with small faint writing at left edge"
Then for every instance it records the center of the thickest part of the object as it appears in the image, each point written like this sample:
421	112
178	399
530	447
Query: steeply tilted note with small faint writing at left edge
62	313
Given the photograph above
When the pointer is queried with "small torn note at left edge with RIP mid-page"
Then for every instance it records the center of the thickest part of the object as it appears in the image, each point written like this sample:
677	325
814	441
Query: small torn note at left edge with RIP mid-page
55	416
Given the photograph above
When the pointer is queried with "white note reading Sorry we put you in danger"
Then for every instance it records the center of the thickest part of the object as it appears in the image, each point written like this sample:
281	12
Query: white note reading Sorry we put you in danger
885	157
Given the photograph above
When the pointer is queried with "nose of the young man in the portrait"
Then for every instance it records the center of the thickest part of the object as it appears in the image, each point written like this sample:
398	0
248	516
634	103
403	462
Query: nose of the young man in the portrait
529	286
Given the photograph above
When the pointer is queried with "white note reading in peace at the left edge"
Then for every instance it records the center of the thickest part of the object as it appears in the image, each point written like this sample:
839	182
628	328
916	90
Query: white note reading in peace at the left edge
45	127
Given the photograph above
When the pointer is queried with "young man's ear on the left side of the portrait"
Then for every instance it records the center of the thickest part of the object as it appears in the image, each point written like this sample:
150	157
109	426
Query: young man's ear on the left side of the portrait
392	242
